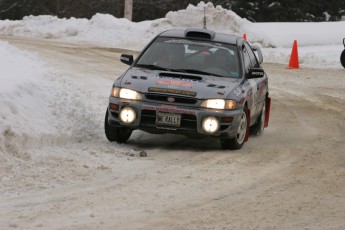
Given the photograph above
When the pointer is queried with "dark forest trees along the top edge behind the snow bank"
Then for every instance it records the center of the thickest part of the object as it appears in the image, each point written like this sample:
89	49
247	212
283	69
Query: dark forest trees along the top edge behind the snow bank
255	11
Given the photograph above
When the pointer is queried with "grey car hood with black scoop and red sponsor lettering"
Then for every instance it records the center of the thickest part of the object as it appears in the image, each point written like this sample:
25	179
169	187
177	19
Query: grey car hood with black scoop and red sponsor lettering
176	83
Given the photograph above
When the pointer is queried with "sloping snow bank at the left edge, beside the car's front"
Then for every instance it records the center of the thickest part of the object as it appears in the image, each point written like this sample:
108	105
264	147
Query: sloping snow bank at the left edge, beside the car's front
38	106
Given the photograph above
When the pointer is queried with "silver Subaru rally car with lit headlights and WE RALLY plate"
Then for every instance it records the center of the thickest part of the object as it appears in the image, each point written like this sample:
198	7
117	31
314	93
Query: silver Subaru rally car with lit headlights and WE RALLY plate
192	82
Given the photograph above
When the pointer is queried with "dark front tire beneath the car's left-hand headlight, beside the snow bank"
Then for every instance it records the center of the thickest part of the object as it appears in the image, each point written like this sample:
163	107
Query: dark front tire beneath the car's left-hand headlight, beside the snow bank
118	134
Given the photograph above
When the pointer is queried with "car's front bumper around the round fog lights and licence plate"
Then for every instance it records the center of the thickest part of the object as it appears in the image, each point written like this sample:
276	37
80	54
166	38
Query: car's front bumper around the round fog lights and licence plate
191	118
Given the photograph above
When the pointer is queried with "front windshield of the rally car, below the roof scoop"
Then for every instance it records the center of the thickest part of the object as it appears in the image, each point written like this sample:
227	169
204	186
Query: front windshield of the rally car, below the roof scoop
191	56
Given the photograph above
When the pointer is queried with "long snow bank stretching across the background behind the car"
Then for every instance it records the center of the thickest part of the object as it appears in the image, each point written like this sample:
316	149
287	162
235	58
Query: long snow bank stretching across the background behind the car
112	31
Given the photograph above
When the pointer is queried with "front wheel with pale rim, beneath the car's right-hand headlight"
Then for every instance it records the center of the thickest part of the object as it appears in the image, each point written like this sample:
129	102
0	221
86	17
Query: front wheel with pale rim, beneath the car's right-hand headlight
238	141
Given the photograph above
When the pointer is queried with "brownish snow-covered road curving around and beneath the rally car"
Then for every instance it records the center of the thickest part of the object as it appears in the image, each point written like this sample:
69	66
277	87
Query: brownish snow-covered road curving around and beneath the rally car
292	177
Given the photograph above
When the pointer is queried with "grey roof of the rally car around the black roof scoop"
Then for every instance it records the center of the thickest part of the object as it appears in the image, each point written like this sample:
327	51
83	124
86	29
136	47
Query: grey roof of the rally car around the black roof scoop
201	34
